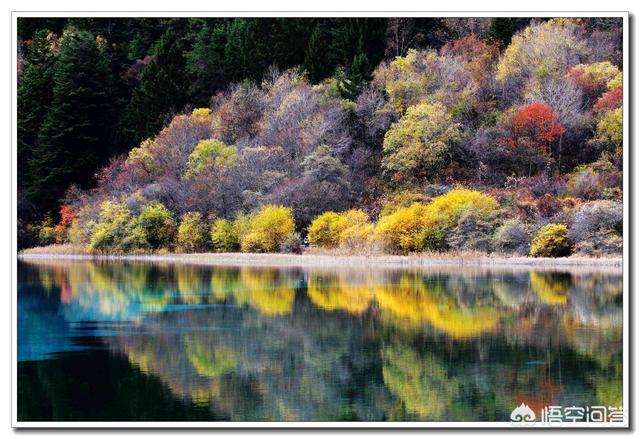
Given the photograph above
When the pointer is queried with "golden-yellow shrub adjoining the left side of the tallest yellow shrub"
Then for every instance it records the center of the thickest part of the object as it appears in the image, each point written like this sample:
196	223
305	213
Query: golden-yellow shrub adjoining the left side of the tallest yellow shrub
404	230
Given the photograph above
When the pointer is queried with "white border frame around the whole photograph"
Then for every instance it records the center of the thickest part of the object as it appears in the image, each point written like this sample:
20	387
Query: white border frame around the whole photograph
353	424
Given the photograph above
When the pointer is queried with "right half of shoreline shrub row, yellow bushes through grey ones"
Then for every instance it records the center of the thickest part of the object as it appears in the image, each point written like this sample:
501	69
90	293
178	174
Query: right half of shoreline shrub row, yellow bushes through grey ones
463	219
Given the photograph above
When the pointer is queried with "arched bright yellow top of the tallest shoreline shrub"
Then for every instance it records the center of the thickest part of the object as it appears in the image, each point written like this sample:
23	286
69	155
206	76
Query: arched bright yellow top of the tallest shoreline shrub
449	207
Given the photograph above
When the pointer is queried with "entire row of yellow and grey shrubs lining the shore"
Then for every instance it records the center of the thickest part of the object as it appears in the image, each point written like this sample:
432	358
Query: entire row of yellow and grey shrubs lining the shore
460	219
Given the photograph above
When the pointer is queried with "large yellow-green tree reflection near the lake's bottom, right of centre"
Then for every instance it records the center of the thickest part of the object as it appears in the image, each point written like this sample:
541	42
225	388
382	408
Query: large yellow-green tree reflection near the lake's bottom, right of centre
421	383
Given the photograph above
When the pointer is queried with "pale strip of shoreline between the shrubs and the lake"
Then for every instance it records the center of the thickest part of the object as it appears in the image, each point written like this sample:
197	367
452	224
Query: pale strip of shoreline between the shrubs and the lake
349	261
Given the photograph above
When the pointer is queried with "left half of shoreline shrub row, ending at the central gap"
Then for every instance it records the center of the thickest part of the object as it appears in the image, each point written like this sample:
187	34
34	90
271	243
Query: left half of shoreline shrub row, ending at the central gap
117	229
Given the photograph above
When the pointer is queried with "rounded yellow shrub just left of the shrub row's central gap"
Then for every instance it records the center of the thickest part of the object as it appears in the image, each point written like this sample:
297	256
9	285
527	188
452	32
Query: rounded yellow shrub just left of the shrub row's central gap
268	229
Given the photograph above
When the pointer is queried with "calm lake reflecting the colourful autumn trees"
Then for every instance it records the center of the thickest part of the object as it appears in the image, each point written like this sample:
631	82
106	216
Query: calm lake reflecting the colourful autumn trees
141	341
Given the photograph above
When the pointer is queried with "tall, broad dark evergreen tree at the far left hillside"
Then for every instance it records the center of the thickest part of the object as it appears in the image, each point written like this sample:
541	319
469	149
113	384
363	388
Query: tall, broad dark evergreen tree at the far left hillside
74	138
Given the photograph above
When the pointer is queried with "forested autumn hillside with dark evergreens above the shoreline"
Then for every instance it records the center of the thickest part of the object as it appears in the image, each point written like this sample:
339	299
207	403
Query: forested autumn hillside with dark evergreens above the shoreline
397	135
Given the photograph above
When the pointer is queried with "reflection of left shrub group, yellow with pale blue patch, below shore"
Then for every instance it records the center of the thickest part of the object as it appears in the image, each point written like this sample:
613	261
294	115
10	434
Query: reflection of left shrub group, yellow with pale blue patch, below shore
115	290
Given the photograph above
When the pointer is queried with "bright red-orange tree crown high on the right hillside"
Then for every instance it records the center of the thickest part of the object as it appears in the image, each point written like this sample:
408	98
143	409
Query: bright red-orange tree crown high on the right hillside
534	125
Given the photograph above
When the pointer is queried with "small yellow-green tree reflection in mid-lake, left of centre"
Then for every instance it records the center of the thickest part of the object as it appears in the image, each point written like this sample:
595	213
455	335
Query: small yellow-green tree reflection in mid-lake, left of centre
208	360
